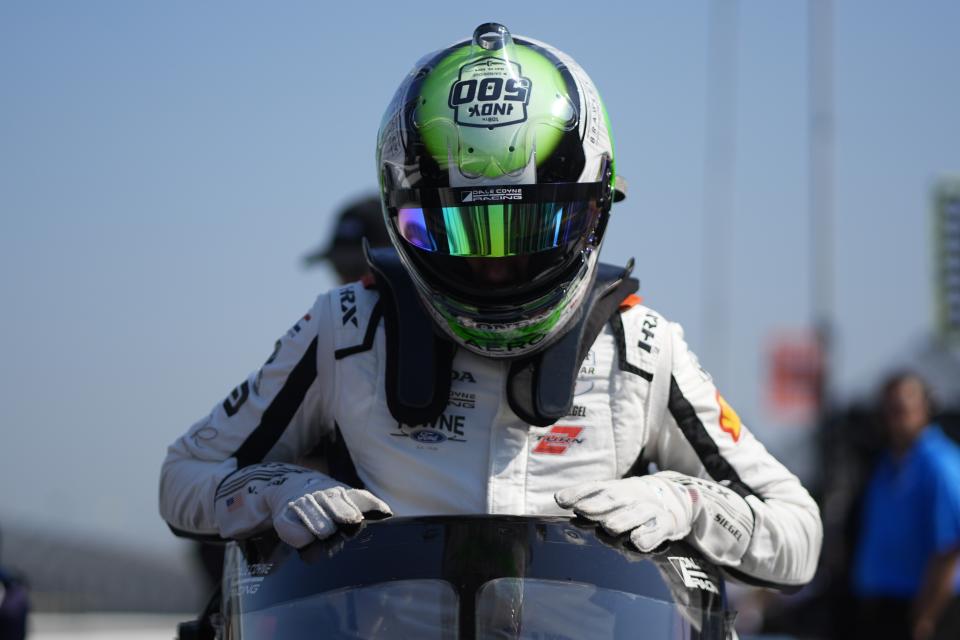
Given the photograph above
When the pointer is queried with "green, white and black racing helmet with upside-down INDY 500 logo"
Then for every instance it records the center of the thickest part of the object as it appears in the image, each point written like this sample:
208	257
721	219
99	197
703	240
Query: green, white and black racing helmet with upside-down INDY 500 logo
497	175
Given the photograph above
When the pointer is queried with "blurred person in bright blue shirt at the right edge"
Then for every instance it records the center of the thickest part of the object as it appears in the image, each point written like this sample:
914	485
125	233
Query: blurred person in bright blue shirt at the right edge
905	571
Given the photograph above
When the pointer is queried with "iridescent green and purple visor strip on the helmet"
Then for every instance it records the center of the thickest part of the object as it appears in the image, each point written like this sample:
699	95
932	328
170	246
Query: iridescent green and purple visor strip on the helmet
496	230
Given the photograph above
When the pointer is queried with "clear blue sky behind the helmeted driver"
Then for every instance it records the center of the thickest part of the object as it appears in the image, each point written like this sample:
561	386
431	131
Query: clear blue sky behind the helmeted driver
163	166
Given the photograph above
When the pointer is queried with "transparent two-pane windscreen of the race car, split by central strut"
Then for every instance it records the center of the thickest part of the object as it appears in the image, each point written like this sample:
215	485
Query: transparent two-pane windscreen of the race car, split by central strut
506	608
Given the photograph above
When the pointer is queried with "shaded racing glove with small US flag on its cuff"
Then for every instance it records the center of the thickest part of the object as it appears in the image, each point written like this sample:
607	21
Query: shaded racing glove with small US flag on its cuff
301	504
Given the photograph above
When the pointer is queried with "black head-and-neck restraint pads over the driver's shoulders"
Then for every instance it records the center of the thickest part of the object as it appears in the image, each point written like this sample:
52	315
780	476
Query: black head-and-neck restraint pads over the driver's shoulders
539	387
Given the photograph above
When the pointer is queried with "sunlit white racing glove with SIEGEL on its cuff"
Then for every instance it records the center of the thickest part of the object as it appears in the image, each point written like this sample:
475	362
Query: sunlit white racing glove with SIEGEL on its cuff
667	506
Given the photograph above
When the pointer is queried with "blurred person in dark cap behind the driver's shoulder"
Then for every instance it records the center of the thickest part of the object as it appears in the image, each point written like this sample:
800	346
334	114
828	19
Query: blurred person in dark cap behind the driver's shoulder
361	218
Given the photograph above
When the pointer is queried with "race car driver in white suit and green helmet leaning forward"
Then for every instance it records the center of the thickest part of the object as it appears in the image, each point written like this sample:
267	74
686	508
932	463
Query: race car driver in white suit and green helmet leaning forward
494	365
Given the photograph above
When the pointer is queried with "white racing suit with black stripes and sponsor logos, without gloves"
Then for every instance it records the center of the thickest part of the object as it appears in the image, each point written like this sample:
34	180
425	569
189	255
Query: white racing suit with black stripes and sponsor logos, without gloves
640	398
